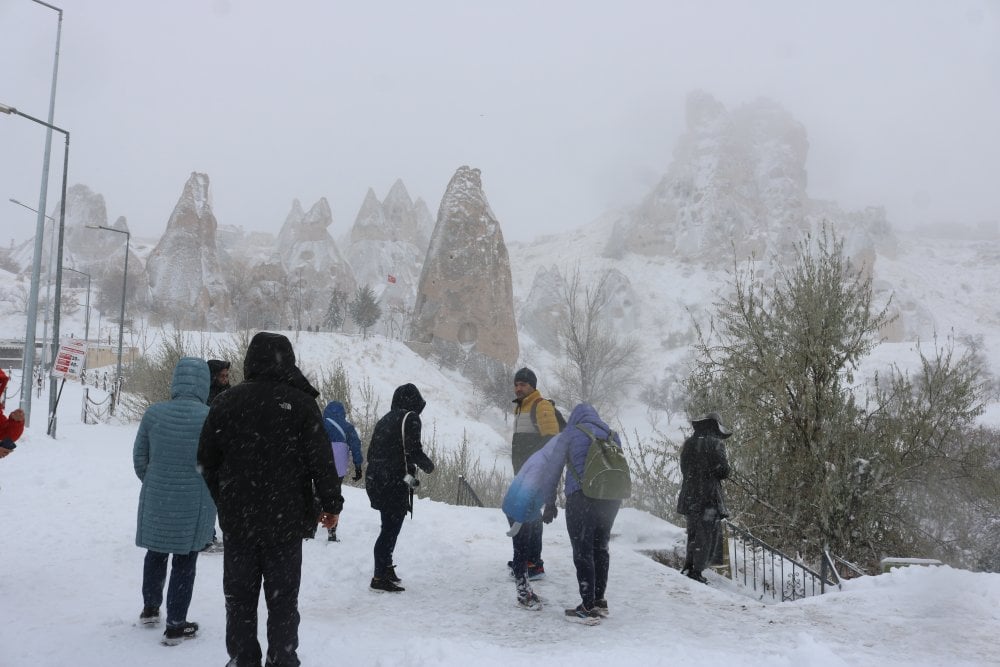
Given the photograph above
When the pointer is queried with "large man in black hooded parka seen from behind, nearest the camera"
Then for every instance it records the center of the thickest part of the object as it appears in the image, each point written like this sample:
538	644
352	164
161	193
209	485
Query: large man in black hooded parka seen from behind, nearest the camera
263	450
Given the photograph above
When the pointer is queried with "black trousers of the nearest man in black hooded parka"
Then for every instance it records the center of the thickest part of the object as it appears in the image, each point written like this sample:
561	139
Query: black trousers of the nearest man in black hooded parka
245	566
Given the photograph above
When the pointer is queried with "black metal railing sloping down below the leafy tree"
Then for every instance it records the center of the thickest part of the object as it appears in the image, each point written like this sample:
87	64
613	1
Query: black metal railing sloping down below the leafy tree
772	570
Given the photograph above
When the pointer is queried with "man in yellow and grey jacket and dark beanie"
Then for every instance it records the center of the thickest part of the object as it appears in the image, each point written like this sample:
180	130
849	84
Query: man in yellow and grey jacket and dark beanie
534	423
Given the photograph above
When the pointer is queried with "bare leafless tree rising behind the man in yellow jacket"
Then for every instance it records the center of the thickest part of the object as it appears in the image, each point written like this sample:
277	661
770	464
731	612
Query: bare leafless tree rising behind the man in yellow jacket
598	363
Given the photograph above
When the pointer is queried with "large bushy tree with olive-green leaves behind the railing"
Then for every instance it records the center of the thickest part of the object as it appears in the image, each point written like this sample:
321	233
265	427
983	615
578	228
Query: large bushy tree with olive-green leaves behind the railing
819	460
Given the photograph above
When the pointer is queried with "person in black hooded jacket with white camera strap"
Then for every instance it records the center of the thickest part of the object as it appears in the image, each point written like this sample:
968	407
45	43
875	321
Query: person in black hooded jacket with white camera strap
393	457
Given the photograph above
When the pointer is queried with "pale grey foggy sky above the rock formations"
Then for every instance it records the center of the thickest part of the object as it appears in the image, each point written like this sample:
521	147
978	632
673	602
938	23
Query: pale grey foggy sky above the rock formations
568	108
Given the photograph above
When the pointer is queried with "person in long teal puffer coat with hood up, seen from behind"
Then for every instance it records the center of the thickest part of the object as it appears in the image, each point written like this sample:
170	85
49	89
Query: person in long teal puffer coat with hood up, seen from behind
176	513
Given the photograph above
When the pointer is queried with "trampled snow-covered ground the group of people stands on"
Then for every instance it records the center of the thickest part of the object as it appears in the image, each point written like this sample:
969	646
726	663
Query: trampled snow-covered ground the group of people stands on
71	575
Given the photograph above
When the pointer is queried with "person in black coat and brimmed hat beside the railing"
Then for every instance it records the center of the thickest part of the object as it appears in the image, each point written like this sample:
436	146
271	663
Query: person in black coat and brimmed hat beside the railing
703	467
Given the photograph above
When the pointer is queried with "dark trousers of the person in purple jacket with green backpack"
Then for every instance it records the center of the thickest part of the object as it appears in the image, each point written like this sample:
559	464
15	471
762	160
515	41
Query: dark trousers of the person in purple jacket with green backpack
589	523
